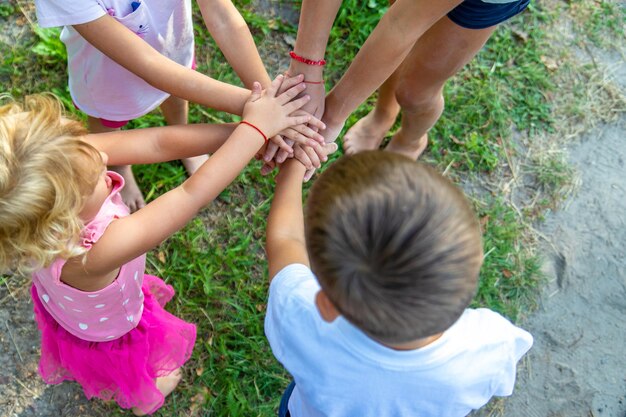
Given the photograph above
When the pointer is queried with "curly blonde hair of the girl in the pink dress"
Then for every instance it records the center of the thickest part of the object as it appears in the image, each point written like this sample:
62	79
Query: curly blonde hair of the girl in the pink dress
43	183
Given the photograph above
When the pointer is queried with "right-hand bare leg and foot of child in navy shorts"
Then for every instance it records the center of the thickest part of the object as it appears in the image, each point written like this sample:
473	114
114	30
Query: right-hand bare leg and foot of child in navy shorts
439	54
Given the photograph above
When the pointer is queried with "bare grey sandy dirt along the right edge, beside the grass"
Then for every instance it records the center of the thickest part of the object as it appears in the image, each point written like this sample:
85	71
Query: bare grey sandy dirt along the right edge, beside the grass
577	365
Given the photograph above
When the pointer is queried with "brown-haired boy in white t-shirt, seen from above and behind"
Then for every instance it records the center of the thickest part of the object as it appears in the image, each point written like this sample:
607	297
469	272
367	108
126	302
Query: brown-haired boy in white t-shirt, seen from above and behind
378	325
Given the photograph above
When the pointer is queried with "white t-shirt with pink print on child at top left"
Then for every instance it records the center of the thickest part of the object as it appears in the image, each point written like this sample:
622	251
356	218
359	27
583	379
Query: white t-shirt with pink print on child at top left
99	86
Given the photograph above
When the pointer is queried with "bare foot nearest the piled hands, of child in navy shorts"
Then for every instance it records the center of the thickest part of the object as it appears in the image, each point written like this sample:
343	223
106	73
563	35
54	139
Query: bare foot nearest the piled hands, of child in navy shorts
366	134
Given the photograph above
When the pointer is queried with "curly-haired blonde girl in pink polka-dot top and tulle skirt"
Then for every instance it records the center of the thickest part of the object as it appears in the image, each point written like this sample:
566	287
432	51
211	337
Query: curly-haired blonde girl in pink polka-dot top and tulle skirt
62	218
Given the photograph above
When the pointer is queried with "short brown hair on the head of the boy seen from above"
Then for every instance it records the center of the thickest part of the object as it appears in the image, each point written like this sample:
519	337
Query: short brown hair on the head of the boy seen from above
394	244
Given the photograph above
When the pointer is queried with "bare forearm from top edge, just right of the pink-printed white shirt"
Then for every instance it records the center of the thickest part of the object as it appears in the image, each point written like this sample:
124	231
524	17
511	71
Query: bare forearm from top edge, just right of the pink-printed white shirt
234	39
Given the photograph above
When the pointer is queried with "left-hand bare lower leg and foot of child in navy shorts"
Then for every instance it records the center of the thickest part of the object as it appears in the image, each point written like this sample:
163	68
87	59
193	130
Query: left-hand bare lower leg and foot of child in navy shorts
369	132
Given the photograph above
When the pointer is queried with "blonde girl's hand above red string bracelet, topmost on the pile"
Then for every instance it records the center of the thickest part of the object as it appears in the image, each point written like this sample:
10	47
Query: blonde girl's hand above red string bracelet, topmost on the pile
271	113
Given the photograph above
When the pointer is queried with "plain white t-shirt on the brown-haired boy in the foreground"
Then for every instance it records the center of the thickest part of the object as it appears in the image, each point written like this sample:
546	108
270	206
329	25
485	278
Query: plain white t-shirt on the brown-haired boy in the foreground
341	372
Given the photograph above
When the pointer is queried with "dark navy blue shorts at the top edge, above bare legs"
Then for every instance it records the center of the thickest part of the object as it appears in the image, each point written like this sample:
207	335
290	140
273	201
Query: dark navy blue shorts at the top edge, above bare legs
475	14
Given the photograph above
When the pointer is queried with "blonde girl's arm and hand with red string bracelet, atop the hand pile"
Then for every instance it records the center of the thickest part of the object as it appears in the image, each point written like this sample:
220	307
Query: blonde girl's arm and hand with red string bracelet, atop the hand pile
131	236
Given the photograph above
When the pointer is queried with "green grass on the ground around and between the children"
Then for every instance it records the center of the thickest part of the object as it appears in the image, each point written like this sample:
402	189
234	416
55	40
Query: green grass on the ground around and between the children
216	263
